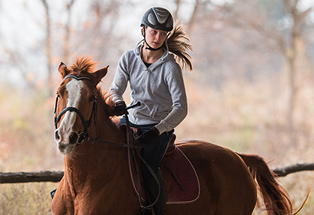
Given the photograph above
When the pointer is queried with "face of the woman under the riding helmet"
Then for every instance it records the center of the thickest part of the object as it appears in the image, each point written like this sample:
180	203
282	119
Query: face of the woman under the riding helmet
155	38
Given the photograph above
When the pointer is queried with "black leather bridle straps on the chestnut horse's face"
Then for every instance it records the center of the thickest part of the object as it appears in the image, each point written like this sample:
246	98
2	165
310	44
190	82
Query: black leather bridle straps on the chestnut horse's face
86	123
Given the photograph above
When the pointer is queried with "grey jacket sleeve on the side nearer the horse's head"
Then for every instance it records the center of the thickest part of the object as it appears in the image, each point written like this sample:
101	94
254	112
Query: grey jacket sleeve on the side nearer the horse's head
121	79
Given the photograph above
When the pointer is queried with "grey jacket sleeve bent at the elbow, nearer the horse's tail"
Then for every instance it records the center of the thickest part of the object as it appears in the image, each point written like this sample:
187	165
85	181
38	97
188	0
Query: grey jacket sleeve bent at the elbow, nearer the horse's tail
179	101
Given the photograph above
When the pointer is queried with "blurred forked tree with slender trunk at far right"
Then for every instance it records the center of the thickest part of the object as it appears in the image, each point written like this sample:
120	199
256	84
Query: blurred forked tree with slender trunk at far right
285	23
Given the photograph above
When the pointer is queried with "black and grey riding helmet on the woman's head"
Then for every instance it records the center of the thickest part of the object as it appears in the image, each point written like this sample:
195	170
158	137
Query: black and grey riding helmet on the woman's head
158	18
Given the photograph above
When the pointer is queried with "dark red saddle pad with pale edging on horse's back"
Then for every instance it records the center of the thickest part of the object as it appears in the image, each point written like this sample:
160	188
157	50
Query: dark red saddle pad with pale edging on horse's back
180	178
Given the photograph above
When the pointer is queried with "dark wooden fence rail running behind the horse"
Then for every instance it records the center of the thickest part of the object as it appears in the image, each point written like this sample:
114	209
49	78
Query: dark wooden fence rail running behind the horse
55	176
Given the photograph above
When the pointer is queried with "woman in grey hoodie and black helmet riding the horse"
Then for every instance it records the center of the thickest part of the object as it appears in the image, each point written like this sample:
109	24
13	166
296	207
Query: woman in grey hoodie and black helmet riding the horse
156	82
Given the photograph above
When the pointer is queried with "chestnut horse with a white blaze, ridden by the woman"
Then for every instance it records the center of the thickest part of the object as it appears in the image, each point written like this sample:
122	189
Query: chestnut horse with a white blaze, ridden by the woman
96	178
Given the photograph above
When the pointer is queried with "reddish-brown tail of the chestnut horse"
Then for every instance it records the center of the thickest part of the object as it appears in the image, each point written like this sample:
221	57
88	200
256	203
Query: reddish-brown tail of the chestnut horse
276	199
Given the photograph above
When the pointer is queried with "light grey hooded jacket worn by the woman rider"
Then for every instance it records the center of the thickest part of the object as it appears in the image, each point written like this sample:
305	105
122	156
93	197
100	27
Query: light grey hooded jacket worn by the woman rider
159	88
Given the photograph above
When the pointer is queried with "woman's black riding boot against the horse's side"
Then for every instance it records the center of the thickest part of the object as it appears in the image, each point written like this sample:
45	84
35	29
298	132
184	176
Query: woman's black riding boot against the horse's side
153	191
